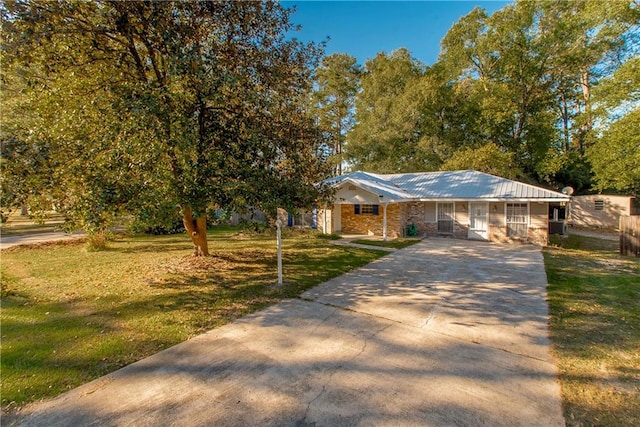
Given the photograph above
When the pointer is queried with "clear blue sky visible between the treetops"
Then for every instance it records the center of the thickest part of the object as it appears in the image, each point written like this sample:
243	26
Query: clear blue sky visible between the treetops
365	28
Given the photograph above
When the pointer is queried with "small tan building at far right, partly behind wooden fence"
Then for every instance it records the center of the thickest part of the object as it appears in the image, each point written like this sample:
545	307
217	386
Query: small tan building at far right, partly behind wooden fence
601	211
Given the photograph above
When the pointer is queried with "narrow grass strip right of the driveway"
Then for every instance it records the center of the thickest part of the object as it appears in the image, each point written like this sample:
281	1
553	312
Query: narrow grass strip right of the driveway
594	302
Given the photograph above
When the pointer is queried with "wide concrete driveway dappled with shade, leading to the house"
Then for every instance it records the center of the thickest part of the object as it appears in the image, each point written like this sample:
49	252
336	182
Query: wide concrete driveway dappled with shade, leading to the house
446	332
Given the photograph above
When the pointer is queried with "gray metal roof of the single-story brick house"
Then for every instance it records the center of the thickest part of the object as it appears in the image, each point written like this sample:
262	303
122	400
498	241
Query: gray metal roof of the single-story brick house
455	185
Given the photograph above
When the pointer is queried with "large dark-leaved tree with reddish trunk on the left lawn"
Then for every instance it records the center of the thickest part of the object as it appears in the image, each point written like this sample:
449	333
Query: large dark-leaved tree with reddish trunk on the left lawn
202	102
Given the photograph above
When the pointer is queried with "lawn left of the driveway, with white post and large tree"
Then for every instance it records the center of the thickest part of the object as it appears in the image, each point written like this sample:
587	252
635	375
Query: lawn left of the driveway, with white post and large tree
70	315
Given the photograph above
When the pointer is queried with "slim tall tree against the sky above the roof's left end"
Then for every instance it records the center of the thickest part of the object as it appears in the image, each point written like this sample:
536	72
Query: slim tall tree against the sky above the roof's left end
337	81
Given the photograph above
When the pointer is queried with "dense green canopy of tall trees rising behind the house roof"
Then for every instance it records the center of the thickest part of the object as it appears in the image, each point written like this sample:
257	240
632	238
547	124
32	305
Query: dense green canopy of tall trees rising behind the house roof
538	90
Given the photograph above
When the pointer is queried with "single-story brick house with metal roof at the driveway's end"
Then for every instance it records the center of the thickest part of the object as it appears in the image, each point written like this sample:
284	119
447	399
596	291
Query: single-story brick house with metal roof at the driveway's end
462	204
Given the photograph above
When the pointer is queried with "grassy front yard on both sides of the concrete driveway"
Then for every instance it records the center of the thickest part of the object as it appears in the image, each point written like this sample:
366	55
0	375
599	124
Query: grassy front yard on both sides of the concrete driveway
69	316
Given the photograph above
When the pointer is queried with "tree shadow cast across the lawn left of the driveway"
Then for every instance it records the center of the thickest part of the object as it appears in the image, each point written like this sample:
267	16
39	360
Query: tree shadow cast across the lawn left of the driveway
51	346
